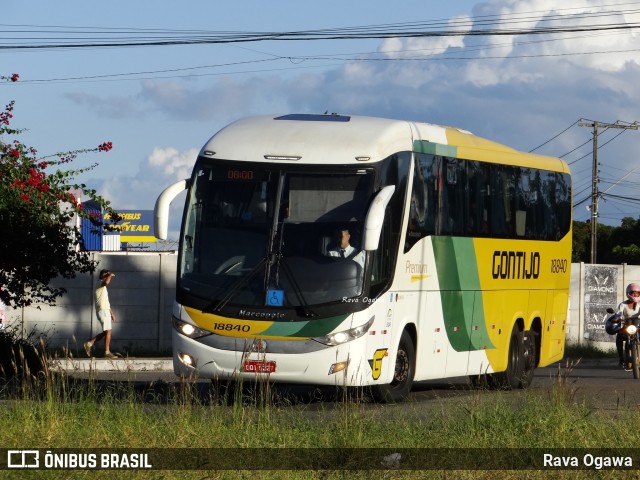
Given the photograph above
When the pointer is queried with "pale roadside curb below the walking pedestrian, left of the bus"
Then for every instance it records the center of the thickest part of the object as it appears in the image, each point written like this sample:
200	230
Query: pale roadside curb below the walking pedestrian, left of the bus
125	364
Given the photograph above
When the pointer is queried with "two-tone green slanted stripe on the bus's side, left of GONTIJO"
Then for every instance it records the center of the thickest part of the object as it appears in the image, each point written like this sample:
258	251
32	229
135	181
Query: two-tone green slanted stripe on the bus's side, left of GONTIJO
460	293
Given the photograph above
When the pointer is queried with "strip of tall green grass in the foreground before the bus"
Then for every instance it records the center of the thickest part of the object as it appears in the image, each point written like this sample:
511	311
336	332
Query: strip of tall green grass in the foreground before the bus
56	412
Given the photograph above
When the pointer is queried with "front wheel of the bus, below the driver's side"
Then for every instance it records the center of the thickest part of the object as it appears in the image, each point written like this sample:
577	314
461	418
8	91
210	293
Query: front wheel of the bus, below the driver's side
403	374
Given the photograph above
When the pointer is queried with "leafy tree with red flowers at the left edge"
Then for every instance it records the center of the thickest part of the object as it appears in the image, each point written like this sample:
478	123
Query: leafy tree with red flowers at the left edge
38	203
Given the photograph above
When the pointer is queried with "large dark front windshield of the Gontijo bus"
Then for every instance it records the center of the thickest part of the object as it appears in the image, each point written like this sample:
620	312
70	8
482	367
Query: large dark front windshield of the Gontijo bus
264	236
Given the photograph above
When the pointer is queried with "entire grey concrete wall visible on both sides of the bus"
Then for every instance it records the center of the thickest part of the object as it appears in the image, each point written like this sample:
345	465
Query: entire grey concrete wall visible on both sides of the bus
142	295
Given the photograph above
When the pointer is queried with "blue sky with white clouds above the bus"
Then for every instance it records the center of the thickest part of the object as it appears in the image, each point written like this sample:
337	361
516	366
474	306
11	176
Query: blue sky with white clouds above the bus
159	104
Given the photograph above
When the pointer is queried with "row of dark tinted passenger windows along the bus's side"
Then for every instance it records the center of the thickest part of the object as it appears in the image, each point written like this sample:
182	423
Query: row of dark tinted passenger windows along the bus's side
450	196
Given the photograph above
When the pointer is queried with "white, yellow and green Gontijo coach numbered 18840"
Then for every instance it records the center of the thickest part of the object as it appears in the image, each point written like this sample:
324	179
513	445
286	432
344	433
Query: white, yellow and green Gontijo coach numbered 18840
461	266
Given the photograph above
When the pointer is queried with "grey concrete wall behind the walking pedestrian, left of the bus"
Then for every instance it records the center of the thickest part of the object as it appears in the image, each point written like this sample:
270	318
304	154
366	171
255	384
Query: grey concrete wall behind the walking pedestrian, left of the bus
141	295
